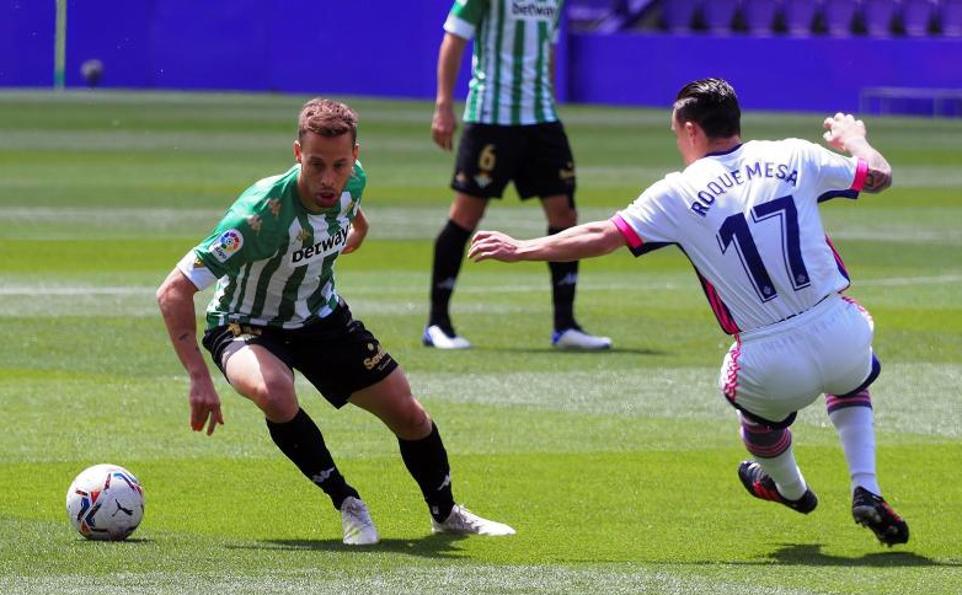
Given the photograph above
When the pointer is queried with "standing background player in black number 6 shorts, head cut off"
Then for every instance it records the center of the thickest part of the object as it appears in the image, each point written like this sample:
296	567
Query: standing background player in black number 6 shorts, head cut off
511	132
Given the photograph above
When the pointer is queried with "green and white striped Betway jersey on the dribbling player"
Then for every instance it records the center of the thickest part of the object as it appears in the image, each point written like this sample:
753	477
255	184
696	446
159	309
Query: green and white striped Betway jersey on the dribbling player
274	260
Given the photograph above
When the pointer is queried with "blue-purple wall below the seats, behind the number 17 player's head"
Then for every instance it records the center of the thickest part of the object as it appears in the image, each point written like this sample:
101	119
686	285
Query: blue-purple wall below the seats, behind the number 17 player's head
772	73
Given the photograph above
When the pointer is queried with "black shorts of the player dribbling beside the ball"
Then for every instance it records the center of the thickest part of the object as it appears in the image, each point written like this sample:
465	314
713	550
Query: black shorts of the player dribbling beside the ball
336	354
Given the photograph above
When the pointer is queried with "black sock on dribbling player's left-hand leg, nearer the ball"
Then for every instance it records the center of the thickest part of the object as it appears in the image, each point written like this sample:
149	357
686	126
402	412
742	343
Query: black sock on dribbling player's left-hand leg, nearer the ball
301	440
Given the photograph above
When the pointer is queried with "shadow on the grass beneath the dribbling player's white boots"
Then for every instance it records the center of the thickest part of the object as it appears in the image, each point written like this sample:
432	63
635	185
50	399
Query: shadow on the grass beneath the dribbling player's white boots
432	546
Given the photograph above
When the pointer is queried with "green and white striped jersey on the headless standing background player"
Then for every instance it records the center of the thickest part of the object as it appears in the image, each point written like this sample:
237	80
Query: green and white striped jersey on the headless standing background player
511	78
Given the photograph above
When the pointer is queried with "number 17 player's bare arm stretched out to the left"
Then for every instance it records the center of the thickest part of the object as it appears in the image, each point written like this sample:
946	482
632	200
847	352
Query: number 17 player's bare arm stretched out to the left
587	240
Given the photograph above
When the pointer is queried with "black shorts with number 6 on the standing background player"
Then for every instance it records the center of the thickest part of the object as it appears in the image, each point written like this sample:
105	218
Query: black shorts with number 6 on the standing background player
537	157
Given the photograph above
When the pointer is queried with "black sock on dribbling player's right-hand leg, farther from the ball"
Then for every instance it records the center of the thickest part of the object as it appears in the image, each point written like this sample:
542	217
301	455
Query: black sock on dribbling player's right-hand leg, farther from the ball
427	462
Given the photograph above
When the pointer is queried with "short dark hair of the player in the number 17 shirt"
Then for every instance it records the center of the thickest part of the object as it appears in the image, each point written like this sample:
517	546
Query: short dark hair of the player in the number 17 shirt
712	104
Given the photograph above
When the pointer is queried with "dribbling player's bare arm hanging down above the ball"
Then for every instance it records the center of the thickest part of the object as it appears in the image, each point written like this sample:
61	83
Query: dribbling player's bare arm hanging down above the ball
176	300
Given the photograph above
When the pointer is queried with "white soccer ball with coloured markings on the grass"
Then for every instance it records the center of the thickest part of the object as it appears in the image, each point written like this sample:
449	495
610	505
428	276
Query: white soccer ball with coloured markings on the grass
105	502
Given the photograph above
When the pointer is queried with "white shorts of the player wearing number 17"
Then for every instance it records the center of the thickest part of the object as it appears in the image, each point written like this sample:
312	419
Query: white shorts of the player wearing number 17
774	371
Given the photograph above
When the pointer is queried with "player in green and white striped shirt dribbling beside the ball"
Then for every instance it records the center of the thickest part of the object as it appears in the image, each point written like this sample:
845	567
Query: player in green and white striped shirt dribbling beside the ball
276	310
